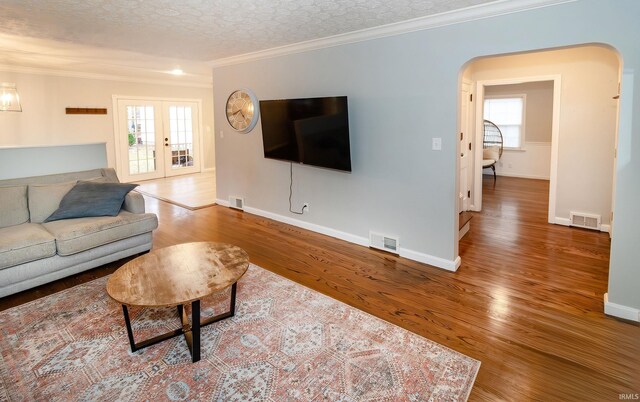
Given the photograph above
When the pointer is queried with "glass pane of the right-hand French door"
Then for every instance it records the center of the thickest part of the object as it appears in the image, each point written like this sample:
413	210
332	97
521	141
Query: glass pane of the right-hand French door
180	125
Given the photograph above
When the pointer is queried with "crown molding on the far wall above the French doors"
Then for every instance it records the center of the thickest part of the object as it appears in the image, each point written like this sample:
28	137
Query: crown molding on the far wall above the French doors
97	76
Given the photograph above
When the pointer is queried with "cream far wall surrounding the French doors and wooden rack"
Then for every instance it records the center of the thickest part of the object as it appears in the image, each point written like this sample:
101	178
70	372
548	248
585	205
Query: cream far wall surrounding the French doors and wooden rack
44	98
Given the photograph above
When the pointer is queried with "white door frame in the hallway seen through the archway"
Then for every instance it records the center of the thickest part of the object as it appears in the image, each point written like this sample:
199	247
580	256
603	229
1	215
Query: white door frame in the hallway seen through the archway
476	203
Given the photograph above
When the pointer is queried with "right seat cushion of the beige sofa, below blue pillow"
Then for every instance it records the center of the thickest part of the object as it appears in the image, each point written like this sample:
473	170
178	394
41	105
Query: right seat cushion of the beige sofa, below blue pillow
80	234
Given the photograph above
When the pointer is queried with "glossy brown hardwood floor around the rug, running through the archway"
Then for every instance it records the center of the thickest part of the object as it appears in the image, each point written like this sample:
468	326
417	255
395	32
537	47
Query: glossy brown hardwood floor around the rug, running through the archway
527	300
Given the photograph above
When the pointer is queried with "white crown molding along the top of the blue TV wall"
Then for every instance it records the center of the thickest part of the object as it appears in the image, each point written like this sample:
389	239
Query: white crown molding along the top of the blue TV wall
478	12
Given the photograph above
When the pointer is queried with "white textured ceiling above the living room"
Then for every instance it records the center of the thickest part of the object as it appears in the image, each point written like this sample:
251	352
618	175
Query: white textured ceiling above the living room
206	30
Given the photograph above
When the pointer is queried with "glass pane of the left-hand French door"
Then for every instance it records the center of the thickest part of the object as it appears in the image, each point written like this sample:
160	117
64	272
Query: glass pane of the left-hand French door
142	139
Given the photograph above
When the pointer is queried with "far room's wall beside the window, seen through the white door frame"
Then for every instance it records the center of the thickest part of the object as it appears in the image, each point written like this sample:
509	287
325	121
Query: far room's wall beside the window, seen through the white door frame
533	161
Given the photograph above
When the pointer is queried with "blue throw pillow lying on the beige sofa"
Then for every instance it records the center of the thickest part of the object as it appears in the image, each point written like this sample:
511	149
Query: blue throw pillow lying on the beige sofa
92	199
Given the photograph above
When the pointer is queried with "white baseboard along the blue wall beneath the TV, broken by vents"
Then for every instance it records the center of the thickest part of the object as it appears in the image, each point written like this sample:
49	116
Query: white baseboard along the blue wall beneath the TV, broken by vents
438	262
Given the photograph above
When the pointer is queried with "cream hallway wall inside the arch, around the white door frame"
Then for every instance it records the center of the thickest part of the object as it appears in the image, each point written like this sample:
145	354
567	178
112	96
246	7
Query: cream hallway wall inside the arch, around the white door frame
588	111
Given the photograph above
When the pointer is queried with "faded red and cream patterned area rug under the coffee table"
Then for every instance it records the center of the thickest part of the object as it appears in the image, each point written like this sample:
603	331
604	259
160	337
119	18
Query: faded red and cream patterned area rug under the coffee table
285	343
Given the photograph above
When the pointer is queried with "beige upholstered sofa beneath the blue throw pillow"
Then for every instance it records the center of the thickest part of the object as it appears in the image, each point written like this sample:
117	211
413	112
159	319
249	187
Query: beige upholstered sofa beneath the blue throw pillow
34	252
